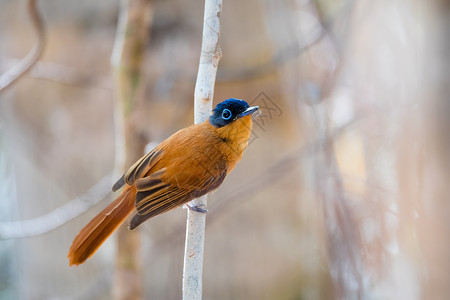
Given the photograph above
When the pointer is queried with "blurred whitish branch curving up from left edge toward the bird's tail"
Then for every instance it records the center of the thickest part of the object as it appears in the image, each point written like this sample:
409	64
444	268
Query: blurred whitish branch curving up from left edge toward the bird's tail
59	216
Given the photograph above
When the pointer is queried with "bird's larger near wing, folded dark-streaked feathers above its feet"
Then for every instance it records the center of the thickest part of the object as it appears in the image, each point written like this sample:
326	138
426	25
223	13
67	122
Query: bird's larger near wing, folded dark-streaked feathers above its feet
157	195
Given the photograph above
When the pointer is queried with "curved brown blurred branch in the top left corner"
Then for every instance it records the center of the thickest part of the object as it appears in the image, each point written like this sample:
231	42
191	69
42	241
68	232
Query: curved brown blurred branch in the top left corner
23	66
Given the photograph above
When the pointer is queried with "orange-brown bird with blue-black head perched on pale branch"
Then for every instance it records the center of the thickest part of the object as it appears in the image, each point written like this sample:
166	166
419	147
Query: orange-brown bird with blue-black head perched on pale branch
189	164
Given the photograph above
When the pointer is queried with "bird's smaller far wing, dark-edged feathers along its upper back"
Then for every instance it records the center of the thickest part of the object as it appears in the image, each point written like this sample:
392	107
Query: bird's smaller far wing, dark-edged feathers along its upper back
139	169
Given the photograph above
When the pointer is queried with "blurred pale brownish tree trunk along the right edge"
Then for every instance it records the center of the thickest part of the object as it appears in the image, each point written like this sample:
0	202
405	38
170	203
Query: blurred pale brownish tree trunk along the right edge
433	213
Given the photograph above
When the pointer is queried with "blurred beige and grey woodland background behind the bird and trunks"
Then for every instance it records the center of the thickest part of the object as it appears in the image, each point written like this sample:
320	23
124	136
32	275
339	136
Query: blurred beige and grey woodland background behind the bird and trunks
342	194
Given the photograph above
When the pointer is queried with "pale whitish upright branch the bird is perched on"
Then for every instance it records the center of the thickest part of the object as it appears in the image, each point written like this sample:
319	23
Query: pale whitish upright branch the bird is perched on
203	96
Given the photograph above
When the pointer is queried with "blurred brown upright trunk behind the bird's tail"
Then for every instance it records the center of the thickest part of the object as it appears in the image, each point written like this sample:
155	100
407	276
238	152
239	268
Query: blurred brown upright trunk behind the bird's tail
132	36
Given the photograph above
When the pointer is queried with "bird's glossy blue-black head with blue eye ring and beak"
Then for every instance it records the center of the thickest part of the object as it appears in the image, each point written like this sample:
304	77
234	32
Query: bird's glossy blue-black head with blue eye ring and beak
229	111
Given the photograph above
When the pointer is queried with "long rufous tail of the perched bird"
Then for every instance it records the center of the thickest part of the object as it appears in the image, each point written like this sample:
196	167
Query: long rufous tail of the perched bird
92	236
